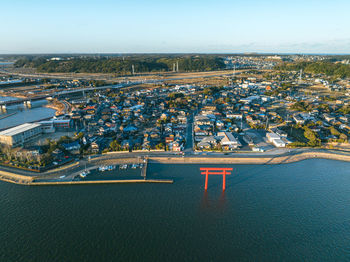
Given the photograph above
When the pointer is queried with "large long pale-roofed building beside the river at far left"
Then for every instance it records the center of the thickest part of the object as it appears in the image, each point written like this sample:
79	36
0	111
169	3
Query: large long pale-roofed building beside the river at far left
19	135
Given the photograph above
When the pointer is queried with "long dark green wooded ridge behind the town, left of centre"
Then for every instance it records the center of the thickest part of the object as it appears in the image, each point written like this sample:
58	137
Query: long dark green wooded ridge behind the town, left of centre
121	66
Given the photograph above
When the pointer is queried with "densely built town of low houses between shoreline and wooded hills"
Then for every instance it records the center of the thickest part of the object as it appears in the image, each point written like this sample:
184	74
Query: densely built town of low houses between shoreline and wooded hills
253	106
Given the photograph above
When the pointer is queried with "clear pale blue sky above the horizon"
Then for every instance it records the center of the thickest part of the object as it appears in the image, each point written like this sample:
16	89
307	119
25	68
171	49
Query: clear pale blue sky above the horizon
103	26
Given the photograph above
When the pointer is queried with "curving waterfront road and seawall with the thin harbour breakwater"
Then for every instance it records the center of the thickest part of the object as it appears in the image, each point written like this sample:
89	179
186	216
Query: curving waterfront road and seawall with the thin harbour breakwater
65	174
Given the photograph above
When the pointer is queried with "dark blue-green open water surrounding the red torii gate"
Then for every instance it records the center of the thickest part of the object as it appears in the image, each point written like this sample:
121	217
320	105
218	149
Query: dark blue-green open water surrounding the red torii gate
291	212
